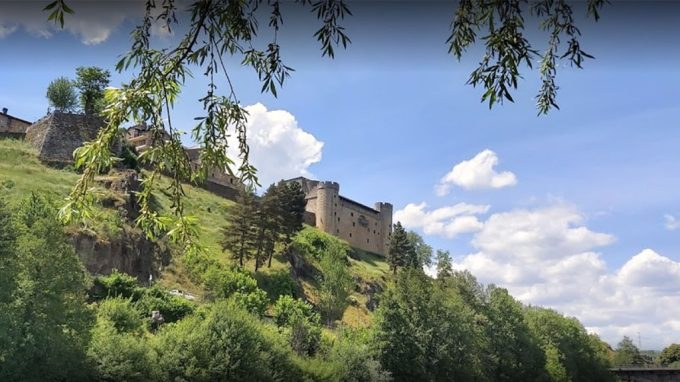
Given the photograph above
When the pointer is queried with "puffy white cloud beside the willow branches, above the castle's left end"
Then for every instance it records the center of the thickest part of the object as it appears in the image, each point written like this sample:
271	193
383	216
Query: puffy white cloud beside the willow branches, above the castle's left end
279	148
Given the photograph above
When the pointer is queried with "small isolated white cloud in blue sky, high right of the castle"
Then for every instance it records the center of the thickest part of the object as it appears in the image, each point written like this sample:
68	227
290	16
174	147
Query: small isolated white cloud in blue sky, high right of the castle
476	173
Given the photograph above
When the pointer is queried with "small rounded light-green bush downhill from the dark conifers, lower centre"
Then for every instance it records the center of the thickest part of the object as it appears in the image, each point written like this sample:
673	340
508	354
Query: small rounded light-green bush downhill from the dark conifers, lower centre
301	324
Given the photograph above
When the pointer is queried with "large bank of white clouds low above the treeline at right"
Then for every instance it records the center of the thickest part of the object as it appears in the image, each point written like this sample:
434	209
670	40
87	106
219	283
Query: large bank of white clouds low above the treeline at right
549	257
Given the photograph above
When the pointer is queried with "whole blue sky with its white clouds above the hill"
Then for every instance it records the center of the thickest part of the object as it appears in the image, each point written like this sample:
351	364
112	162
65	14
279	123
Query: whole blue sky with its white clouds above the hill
578	210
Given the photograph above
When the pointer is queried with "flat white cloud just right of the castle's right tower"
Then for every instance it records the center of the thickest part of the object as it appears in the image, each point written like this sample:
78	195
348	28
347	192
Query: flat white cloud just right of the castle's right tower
447	221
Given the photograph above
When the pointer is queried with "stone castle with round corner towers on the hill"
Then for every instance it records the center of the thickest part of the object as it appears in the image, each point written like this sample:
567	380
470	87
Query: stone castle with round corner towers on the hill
361	226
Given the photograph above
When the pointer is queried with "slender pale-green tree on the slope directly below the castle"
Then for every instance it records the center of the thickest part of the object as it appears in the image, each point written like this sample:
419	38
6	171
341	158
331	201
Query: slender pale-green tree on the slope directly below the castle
335	283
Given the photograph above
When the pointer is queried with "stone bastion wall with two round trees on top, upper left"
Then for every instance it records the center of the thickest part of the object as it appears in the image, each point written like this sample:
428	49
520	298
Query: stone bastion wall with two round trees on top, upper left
58	134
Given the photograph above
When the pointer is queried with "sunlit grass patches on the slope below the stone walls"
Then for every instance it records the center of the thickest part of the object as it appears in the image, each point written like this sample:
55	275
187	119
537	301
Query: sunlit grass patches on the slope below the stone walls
22	173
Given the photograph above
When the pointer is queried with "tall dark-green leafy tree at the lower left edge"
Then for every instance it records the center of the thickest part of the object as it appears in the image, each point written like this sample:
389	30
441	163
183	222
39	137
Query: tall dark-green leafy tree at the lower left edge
50	321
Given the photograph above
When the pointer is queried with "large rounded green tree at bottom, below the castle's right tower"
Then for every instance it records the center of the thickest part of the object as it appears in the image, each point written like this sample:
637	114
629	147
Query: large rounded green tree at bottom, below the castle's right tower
424	332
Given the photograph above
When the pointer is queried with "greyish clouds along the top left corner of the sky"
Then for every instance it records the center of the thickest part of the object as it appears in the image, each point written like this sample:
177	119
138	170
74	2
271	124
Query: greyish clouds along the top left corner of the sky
93	21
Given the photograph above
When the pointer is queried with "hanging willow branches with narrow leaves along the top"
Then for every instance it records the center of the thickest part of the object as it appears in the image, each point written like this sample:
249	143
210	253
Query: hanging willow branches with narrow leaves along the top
217	29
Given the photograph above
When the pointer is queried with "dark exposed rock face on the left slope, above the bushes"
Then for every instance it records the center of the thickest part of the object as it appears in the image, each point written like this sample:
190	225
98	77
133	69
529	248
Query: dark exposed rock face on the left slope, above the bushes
132	253
